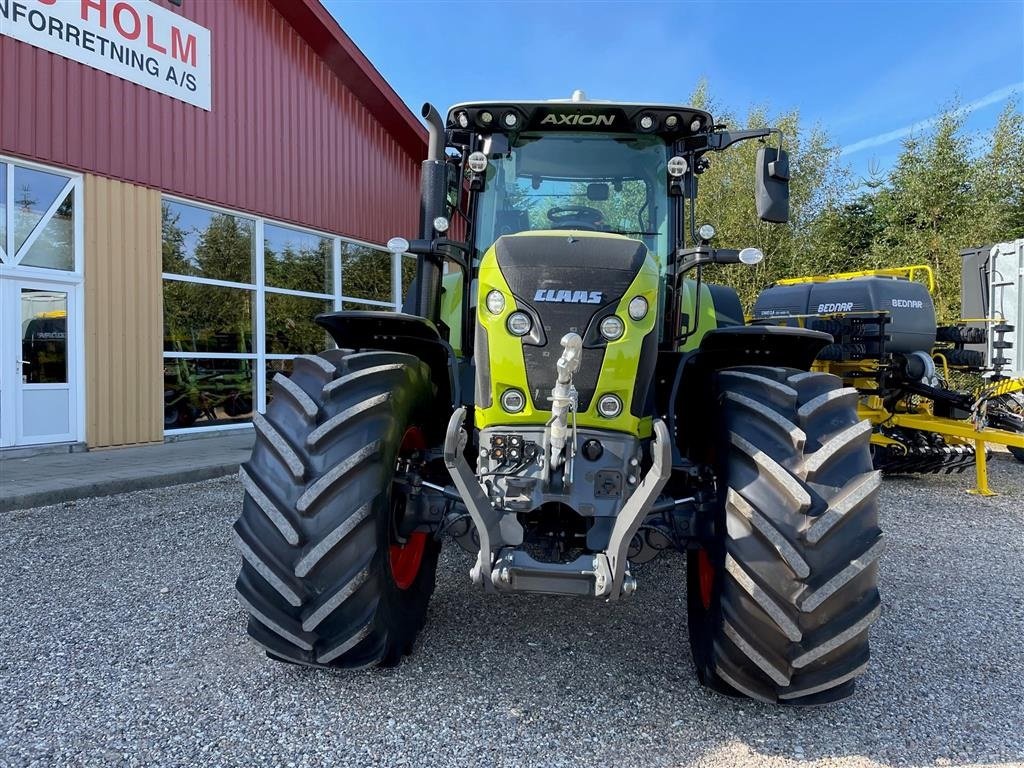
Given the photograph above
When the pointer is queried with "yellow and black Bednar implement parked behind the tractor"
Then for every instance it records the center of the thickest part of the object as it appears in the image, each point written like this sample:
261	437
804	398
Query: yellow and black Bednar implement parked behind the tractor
883	323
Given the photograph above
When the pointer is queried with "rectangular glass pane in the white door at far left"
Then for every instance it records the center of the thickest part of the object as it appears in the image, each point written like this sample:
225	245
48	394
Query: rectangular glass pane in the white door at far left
45	337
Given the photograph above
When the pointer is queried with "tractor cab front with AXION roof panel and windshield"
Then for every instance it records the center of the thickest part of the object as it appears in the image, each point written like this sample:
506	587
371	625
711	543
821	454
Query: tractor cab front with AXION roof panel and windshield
575	165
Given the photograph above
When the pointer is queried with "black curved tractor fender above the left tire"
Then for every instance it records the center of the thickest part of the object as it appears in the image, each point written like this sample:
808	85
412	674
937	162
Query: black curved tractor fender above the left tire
398	332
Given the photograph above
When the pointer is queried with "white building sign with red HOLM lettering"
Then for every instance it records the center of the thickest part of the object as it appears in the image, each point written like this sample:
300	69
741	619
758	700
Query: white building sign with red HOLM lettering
137	40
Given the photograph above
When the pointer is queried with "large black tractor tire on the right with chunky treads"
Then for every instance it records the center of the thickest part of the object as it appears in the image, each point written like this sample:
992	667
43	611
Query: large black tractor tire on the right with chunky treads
782	601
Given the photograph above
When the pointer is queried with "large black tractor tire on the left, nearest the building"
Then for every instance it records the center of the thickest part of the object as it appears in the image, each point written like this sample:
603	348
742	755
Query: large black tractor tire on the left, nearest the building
325	578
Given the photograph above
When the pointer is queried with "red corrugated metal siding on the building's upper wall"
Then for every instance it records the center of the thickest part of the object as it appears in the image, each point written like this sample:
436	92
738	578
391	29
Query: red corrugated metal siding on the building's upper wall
286	139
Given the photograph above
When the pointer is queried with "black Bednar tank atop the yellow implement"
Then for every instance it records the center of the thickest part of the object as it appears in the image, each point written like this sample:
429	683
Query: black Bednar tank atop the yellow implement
912	313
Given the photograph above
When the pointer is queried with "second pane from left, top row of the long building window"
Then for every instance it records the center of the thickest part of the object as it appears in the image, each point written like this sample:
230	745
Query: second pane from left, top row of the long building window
297	261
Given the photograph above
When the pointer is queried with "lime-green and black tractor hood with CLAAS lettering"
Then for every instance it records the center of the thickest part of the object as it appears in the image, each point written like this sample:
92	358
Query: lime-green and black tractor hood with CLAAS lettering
568	282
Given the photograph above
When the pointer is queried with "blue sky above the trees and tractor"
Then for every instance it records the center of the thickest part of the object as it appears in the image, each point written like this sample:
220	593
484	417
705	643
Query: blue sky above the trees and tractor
866	72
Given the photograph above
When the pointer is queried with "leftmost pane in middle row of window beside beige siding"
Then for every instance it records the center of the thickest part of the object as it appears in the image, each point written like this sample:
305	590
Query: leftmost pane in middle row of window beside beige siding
207	319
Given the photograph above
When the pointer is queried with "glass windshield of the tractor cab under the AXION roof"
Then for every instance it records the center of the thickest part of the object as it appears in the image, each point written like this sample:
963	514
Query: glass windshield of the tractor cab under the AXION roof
609	183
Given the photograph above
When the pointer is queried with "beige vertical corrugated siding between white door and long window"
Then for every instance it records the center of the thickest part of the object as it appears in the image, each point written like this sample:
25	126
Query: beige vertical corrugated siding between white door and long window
123	323
